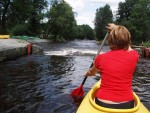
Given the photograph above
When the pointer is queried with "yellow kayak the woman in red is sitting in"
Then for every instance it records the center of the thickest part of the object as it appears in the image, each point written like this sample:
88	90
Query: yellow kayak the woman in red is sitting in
89	106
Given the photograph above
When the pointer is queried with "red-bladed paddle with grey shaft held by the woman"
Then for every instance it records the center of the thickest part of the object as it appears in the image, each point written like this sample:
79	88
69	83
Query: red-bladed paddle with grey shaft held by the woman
78	92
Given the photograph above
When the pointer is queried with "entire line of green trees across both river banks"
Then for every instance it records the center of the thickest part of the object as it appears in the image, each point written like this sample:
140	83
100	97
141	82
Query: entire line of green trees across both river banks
55	19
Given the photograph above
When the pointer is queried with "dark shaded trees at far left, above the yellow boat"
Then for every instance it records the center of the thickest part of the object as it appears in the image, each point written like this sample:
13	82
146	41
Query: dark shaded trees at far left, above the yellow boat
22	17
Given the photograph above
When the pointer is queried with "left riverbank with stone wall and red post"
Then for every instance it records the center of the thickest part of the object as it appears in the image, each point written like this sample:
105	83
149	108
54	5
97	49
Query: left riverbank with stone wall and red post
13	48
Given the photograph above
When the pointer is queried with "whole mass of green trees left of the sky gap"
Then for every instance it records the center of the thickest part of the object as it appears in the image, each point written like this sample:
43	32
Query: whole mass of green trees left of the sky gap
44	18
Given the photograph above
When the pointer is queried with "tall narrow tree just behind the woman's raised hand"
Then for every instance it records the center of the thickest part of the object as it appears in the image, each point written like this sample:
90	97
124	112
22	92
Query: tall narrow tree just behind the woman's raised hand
103	17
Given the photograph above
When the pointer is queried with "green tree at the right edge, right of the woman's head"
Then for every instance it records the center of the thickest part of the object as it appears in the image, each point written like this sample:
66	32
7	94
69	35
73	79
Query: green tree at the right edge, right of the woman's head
140	20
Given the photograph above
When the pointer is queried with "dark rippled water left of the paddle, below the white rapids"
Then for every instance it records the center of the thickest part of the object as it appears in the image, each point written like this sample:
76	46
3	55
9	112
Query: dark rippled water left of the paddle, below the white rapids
40	84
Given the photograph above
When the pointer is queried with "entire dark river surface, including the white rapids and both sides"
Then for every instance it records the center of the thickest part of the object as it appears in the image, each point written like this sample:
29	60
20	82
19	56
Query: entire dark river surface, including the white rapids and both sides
43	83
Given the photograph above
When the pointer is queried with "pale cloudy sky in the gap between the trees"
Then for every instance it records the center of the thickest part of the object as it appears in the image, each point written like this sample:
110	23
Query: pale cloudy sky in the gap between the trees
86	9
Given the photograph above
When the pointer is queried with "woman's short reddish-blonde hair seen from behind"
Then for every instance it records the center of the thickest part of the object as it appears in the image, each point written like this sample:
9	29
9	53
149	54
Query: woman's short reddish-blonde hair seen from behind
119	38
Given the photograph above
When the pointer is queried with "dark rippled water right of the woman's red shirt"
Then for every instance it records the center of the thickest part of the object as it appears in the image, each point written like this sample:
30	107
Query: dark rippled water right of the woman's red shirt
141	81
